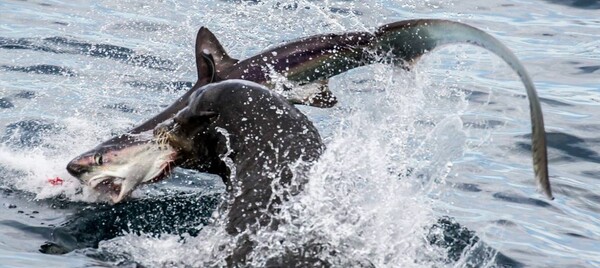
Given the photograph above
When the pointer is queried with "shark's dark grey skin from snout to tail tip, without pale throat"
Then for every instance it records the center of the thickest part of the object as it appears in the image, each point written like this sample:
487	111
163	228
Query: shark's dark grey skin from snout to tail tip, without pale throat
317	58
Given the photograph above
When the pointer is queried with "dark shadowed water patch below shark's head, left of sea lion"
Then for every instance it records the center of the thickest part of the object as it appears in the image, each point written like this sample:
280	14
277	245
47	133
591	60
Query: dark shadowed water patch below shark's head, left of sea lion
178	214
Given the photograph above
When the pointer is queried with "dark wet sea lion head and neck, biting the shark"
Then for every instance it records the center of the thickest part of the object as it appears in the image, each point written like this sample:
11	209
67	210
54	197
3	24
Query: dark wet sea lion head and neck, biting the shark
259	143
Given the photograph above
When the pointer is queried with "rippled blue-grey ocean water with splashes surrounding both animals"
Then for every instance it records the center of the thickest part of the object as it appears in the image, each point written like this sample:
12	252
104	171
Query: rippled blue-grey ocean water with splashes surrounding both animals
423	168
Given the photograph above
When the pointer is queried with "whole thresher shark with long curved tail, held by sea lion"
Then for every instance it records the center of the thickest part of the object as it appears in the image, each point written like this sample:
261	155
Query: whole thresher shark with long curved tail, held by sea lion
117	166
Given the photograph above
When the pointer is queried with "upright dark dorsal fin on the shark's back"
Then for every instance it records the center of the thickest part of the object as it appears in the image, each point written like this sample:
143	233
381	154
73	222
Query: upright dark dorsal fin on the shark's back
207	43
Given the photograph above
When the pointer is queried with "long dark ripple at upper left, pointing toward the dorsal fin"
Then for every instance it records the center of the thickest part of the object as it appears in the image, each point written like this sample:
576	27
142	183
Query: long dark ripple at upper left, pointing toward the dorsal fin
62	45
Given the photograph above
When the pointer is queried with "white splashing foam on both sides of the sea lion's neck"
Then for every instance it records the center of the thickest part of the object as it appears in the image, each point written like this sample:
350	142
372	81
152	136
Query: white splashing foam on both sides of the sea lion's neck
369	195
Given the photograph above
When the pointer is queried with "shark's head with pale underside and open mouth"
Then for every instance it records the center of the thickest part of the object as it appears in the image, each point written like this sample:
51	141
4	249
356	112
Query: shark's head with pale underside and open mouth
115	168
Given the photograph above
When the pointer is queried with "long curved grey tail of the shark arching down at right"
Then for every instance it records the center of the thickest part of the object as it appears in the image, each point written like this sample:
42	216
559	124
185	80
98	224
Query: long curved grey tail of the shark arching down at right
408	40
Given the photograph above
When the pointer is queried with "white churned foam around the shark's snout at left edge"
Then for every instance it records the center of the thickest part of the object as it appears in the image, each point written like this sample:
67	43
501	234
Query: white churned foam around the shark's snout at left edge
35	167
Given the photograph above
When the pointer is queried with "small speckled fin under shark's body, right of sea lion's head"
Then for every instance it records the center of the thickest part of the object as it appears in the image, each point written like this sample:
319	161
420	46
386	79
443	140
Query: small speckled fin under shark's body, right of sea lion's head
315	94
